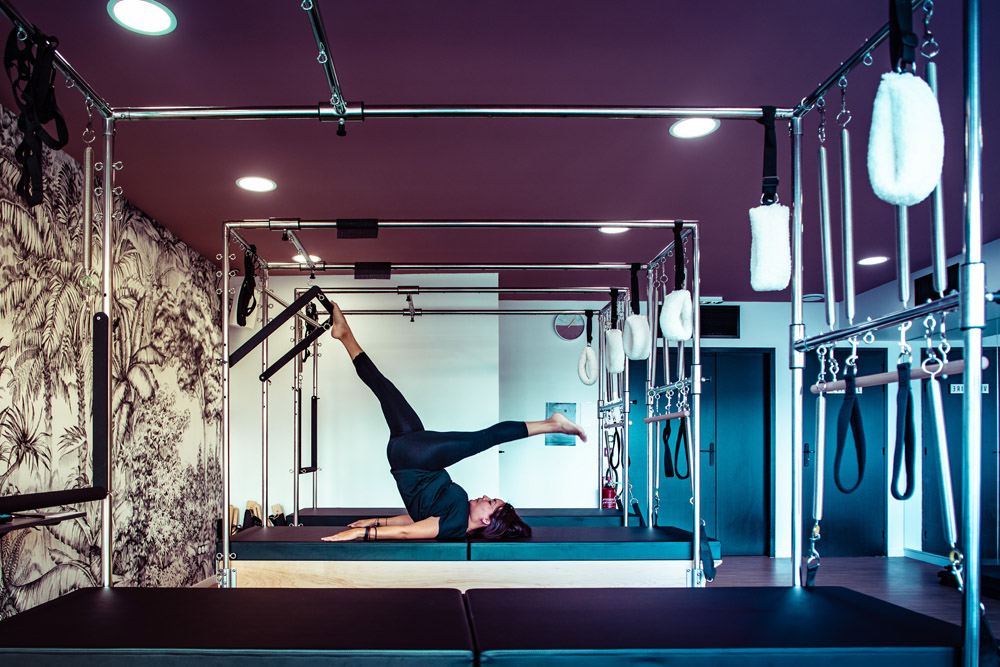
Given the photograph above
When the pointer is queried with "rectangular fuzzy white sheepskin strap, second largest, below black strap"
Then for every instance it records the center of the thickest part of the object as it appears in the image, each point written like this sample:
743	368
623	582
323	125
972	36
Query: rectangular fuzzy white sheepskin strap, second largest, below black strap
770	248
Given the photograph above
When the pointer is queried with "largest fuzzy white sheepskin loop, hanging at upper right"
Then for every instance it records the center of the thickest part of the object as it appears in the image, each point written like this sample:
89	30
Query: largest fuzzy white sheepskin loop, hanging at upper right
906	144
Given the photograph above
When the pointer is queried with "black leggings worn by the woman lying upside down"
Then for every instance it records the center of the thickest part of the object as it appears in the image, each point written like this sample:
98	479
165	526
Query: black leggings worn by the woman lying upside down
410	446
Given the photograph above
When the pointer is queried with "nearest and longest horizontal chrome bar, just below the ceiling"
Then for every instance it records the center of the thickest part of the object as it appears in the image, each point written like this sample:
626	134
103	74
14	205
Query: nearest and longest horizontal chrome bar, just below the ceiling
358	111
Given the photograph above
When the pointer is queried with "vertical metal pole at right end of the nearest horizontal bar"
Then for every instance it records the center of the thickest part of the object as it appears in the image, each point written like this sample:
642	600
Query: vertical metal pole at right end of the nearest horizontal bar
797	360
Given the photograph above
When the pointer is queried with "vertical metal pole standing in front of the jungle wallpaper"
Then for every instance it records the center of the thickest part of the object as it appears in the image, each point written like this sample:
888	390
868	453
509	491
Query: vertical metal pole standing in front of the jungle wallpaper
107	305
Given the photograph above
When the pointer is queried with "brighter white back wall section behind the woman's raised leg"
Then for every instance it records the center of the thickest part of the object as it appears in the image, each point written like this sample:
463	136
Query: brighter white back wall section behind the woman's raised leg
446	367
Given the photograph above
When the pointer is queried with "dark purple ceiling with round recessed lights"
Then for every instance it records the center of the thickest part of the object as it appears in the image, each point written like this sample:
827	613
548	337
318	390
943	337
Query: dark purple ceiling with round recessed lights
568	52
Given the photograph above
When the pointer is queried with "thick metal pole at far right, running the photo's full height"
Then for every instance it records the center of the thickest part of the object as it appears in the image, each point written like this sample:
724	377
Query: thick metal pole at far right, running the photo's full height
973	287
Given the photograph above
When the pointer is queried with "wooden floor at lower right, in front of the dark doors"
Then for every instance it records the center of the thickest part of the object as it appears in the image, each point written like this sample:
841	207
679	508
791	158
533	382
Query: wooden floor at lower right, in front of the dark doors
903	581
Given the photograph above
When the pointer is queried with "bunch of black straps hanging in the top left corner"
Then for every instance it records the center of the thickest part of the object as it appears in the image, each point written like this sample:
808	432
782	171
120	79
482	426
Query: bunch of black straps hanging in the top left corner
32	78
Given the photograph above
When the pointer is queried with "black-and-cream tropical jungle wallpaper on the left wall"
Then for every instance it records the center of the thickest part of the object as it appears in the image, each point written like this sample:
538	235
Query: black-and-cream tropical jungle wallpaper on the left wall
166	390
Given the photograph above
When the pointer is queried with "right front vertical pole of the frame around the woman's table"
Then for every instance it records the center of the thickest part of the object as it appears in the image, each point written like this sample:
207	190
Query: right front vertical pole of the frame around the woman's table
695	419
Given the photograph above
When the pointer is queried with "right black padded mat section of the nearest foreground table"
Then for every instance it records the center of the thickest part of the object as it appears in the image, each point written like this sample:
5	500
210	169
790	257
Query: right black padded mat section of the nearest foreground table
713	618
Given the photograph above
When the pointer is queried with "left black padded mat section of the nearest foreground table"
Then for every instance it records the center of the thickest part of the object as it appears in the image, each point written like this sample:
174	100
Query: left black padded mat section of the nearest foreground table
263	618
